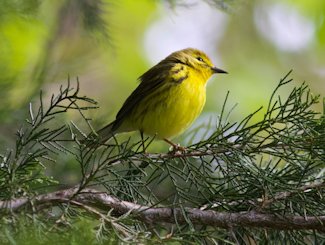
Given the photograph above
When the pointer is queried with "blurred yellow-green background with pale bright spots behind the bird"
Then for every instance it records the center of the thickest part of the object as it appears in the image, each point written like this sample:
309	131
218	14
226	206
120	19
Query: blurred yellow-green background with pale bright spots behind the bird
108	44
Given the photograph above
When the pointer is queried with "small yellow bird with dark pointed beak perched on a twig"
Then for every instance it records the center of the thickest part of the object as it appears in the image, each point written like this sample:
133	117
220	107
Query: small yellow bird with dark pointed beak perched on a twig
168	99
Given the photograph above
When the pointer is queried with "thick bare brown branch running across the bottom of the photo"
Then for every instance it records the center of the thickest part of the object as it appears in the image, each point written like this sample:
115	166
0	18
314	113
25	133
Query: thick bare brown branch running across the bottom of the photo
103	202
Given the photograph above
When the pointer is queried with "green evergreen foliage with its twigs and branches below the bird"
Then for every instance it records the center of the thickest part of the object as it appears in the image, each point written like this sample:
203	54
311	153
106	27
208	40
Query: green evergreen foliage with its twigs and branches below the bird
255	181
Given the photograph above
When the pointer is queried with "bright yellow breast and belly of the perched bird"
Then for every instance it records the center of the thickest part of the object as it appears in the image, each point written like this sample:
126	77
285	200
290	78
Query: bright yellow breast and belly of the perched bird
171	110
